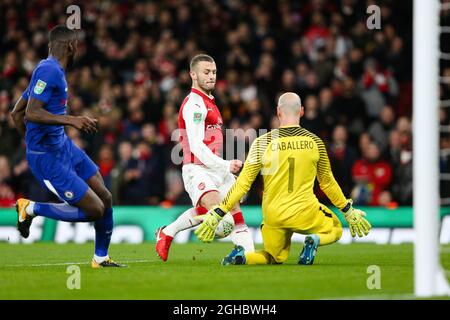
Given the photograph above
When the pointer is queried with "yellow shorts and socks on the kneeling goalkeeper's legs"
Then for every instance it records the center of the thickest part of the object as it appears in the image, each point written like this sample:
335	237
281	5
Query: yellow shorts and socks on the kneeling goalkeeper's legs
277	240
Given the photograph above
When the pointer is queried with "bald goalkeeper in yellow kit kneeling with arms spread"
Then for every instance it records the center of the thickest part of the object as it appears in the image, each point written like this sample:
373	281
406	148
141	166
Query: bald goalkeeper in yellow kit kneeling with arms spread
289	159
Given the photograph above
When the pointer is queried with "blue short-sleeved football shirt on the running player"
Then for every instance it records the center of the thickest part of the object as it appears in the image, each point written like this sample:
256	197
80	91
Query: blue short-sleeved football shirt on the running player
48	84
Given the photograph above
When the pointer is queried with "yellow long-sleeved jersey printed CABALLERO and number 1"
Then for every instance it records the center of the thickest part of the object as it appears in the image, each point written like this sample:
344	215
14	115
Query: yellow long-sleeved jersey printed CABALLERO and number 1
289	159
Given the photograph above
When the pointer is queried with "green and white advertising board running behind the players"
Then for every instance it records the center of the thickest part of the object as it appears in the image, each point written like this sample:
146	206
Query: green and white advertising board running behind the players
138	224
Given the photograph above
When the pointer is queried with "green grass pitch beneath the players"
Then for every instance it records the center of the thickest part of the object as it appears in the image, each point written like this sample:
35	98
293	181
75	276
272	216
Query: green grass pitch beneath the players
193	272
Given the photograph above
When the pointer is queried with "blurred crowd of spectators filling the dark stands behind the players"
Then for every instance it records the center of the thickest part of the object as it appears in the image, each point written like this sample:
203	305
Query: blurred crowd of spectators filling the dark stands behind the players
132	75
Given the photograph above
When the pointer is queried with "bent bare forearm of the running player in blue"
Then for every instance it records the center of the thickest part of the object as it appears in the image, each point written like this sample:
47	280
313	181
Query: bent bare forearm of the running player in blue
35	112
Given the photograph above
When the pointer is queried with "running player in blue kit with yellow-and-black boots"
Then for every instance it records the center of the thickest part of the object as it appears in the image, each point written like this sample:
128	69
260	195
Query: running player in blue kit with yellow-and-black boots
66	170
